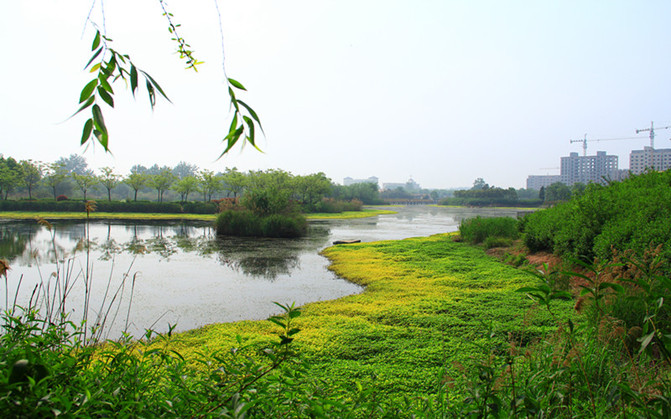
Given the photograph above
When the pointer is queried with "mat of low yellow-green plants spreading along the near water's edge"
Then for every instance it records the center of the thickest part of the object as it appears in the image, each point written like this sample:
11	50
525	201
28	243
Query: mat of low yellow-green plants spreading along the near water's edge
430	306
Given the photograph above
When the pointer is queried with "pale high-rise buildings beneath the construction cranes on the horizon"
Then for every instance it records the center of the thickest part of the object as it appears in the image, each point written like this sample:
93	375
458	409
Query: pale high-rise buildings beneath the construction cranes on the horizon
602	167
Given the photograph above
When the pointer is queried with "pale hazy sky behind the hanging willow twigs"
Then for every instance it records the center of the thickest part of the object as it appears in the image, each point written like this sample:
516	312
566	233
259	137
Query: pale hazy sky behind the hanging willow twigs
442	92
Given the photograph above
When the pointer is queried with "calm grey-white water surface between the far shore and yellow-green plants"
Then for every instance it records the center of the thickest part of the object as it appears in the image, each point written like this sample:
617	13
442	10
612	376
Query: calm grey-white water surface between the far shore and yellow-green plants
158	274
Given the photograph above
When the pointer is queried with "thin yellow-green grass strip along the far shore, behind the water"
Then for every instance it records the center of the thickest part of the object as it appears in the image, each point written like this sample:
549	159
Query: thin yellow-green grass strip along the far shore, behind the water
29	215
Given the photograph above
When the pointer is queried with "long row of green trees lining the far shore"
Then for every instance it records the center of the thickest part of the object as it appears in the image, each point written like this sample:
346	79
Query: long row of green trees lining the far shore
71	177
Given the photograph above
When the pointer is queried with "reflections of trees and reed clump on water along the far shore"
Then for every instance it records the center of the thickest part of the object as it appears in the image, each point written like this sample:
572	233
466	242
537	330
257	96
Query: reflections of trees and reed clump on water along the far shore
26	243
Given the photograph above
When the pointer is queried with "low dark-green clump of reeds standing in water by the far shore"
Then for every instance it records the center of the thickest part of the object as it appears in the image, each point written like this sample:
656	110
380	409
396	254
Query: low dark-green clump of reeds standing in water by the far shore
247	224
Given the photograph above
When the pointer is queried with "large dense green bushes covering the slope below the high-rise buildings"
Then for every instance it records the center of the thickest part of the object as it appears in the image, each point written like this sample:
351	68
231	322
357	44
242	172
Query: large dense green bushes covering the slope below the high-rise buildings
632	214
